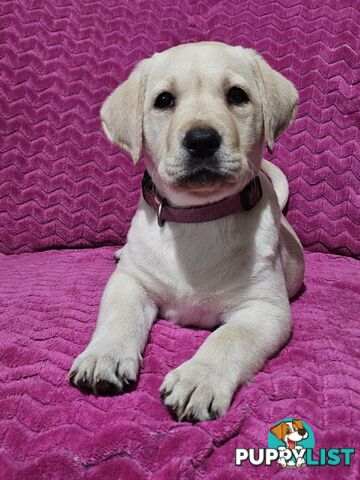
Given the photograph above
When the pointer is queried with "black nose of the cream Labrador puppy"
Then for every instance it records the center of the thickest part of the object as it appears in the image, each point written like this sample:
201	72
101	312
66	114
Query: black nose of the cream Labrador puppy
202	142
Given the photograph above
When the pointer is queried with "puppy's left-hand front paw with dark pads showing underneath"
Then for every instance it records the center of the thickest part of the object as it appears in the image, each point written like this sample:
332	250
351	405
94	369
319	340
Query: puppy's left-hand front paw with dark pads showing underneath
102	372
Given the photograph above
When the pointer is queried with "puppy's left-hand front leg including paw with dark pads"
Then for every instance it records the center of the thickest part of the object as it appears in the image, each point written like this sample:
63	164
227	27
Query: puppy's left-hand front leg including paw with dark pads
113	355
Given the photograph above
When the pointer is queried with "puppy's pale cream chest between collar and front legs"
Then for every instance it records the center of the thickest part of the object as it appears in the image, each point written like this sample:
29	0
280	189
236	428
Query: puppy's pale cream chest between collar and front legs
192	272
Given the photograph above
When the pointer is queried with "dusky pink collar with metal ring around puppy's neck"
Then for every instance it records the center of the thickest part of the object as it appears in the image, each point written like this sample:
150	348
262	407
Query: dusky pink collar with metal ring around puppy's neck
244	200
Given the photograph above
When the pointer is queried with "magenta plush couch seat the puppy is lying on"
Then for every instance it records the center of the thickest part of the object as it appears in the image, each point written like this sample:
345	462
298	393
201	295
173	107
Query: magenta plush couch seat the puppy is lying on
48	429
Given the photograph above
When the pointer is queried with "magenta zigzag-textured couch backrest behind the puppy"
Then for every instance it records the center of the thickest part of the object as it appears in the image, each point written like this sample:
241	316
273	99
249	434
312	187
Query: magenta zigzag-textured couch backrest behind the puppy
61	182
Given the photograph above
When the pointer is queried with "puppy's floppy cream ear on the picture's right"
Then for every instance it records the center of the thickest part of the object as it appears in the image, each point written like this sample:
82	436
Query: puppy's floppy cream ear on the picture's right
279	99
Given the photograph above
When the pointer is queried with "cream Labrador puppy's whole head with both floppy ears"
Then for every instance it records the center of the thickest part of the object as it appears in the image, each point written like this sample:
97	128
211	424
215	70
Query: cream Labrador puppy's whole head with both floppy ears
203	112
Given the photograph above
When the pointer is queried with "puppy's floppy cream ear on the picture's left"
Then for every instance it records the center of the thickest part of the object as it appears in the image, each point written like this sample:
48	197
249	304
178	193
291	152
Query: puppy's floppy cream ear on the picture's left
123	110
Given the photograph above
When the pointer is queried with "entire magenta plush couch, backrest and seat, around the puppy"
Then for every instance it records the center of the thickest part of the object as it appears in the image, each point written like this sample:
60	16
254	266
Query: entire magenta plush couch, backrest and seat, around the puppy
67	198
